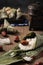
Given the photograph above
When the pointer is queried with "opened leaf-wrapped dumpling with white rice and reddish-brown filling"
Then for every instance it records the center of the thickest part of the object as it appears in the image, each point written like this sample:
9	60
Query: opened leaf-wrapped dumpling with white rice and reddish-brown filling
34	40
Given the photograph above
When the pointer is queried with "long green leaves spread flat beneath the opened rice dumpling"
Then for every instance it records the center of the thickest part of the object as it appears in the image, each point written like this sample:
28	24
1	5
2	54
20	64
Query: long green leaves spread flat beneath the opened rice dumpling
17	55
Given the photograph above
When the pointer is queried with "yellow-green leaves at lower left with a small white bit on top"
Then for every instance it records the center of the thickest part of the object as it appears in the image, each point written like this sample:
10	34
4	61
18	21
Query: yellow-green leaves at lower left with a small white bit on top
7	58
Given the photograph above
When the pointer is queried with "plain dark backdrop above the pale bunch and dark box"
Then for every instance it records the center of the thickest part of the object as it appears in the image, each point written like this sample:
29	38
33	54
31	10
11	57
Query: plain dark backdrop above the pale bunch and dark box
23	4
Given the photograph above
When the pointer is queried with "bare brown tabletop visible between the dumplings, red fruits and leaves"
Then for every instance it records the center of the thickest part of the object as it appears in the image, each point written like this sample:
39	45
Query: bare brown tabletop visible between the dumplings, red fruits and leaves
23	31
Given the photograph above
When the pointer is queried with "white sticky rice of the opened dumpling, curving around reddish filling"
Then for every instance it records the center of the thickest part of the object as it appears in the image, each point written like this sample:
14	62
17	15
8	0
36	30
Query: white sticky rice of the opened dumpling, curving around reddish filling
31	44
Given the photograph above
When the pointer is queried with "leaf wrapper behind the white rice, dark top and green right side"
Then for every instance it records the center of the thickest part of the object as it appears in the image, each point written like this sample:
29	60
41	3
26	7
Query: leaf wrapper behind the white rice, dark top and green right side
39	39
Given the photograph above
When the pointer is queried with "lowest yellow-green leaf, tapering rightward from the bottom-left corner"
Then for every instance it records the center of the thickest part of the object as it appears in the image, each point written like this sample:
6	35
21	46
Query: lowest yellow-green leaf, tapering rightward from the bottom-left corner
8	60
